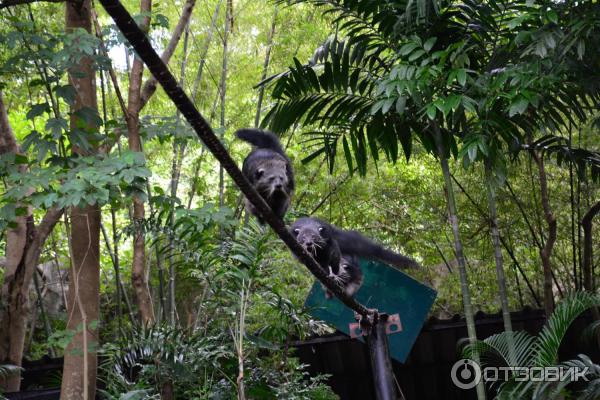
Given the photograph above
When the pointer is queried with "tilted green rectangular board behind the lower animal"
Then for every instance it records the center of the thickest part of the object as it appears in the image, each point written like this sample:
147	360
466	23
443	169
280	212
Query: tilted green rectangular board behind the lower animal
388	290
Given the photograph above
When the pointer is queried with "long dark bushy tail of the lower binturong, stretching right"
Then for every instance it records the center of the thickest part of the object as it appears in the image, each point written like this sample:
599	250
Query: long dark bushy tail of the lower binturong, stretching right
352	242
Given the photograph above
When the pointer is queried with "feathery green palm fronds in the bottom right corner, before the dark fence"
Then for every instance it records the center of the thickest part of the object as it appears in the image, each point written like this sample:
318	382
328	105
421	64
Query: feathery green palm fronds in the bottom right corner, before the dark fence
540	351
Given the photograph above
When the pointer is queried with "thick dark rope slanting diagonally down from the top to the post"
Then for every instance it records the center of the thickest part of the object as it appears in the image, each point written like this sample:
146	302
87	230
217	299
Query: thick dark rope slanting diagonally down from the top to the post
157	67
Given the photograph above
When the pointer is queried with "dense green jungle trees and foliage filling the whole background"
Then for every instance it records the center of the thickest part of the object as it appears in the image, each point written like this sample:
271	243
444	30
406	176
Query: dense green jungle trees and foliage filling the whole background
462	134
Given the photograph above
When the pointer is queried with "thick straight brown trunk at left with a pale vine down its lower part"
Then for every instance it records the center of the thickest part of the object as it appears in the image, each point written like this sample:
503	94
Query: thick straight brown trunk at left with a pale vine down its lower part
83	302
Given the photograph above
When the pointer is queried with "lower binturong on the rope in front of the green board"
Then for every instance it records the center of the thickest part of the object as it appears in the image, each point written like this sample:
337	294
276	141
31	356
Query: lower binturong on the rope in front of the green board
337	251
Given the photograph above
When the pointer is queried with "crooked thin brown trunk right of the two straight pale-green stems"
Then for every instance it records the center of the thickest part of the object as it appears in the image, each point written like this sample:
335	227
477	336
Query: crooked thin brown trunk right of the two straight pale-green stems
546	250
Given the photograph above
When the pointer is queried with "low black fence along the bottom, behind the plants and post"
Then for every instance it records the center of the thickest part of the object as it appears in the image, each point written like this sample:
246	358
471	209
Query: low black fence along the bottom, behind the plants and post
425	375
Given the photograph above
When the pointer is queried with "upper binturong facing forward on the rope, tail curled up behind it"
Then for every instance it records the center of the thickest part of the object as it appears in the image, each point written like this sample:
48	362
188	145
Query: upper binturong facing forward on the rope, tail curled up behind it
269	170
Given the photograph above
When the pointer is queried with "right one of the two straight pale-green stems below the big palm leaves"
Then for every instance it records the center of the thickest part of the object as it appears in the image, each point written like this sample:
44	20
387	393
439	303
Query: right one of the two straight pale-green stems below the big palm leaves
500	275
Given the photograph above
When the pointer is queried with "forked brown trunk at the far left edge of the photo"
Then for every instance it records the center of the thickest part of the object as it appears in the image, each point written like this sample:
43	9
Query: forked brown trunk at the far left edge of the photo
24	244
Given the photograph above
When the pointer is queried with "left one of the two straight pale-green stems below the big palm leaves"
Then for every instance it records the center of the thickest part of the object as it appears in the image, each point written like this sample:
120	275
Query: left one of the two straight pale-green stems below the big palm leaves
458	247
